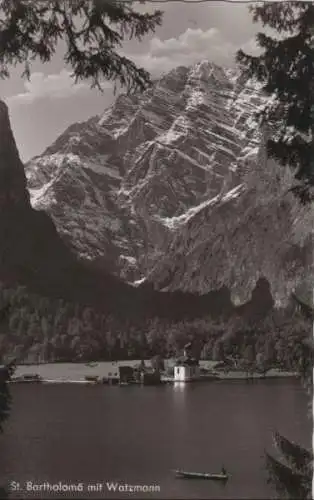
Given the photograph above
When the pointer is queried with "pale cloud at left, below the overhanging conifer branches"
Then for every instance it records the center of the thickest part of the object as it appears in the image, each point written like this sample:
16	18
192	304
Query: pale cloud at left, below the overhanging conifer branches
53	86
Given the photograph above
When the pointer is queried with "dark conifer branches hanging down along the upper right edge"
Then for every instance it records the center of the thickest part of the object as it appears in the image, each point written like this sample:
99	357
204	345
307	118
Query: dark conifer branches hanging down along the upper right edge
285	68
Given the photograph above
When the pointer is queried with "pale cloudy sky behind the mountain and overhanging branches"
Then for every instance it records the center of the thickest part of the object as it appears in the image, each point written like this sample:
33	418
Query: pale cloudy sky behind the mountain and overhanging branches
43	107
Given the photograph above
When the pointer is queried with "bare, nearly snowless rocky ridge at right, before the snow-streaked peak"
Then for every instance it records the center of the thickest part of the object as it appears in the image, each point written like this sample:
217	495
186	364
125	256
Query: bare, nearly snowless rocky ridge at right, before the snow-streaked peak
256	230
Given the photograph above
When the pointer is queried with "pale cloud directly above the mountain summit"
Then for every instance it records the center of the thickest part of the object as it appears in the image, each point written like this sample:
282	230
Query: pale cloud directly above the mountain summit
188	48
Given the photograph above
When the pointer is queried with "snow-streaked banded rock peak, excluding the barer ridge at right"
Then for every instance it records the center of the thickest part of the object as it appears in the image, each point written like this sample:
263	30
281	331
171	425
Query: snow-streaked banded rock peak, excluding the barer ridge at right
133	184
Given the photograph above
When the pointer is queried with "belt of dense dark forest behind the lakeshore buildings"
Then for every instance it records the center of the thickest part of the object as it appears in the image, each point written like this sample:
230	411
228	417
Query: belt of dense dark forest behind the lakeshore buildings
39	329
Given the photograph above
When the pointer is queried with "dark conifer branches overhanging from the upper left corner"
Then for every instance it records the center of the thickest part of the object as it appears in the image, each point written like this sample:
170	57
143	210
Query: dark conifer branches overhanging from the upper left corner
92	30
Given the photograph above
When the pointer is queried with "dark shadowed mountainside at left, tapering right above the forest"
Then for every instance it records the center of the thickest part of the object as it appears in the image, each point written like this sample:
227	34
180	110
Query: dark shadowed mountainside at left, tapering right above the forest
33	253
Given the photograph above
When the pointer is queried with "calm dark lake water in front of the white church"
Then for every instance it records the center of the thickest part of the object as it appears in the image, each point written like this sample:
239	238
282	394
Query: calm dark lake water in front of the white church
137	435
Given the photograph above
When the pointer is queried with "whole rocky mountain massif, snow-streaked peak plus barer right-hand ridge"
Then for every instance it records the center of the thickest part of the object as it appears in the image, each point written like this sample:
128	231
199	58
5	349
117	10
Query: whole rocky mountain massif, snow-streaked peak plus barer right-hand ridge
172	187
